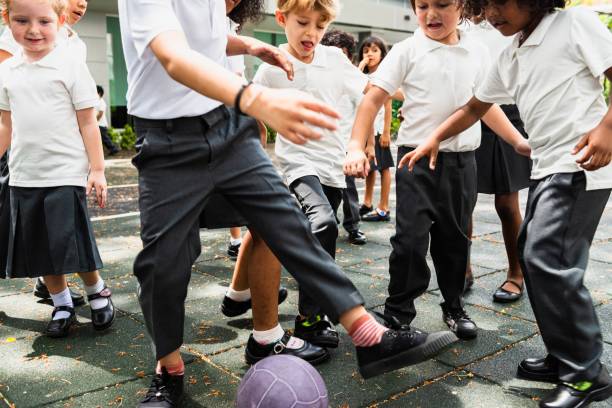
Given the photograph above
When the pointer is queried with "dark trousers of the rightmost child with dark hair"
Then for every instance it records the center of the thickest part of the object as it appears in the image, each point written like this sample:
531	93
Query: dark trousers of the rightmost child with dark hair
554	242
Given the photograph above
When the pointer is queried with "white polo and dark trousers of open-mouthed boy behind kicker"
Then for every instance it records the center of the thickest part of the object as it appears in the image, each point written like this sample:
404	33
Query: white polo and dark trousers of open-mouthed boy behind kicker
313	170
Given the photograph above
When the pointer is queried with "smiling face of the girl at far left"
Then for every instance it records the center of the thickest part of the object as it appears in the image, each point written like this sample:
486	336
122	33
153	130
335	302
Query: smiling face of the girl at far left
34	25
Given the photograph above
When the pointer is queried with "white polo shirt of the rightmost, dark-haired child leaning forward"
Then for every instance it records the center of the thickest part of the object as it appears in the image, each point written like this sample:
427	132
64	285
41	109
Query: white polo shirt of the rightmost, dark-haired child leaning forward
554	79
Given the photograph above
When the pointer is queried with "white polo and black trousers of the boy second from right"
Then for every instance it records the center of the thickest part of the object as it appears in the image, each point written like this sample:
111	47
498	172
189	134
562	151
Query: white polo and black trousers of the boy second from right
436	80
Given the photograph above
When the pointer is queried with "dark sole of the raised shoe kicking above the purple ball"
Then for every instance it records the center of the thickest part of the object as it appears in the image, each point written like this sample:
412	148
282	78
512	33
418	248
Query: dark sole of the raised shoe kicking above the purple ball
432	346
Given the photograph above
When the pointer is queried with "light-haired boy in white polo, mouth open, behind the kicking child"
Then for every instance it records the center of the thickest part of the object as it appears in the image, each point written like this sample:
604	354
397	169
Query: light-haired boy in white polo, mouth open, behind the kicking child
313	171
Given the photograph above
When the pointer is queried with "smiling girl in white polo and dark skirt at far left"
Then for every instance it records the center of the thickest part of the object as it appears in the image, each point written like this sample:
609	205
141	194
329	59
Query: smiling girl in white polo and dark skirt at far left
47	101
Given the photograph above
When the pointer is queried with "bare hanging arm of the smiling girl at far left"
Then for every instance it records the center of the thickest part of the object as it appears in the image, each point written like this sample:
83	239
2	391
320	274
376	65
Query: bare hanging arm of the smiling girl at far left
93	145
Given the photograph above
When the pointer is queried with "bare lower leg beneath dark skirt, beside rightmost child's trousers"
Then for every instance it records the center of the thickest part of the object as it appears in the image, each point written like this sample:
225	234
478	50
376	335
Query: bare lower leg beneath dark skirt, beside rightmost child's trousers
507	207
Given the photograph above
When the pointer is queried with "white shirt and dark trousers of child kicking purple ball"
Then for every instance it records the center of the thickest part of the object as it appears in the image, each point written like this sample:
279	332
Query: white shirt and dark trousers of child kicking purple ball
190	146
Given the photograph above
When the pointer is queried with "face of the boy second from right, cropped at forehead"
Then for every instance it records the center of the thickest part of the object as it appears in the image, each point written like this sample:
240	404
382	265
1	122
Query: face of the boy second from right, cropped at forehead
438	19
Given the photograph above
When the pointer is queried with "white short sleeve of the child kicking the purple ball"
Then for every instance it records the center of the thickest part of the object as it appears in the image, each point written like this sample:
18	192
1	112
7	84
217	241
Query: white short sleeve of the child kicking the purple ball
147	19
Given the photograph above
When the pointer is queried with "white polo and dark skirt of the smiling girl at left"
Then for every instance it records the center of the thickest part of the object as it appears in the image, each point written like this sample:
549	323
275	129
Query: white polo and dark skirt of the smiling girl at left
48	165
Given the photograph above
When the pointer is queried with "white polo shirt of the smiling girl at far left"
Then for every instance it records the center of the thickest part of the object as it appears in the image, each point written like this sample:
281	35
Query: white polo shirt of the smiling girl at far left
47	149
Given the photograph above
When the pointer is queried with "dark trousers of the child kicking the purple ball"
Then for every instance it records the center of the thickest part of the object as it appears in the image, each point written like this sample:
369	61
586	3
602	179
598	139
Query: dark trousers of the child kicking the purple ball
180	163
